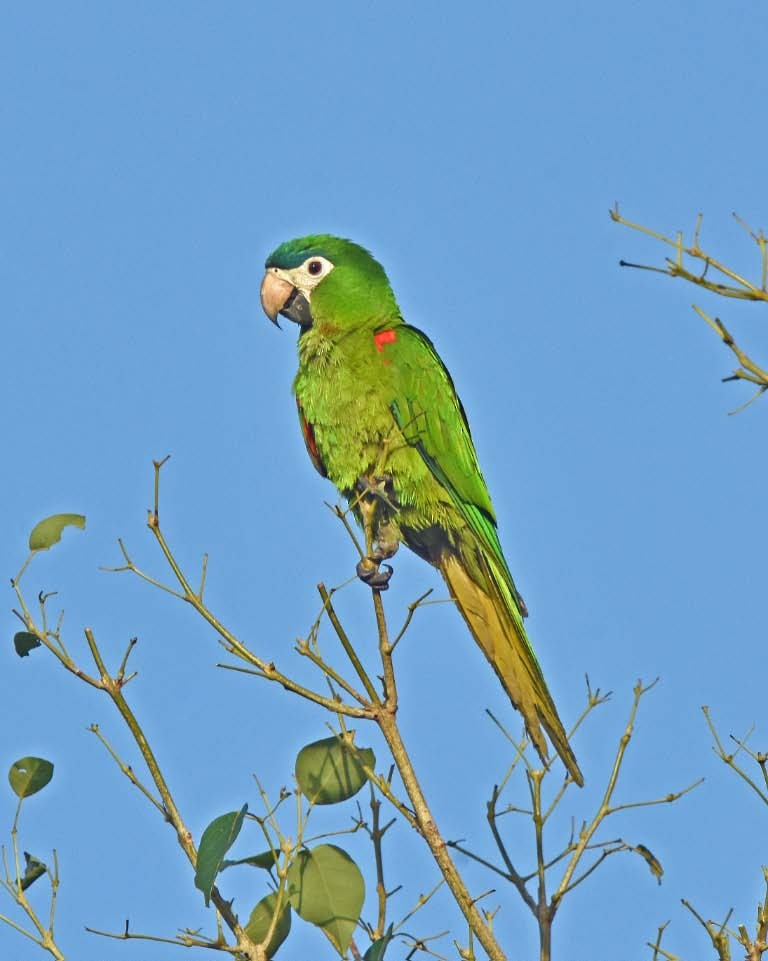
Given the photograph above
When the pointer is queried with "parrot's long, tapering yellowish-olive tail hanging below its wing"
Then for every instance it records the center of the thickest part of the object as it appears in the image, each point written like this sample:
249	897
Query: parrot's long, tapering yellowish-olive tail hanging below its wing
498	628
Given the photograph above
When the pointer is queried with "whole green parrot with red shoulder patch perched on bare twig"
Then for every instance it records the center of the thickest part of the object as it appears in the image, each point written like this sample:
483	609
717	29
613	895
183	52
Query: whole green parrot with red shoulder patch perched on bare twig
381	419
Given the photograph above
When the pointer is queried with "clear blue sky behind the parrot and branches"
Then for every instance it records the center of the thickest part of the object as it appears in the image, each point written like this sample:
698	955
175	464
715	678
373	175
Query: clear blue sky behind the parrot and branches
153	155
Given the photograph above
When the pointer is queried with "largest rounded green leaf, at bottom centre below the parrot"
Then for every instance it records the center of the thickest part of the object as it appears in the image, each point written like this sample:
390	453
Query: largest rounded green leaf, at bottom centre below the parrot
326	888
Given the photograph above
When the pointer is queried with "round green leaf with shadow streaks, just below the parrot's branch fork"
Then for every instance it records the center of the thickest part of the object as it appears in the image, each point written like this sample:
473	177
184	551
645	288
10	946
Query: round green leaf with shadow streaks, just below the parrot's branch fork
331	770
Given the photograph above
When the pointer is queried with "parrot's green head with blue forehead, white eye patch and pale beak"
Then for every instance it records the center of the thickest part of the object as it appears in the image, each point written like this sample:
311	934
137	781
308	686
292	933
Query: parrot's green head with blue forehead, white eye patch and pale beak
321	278
